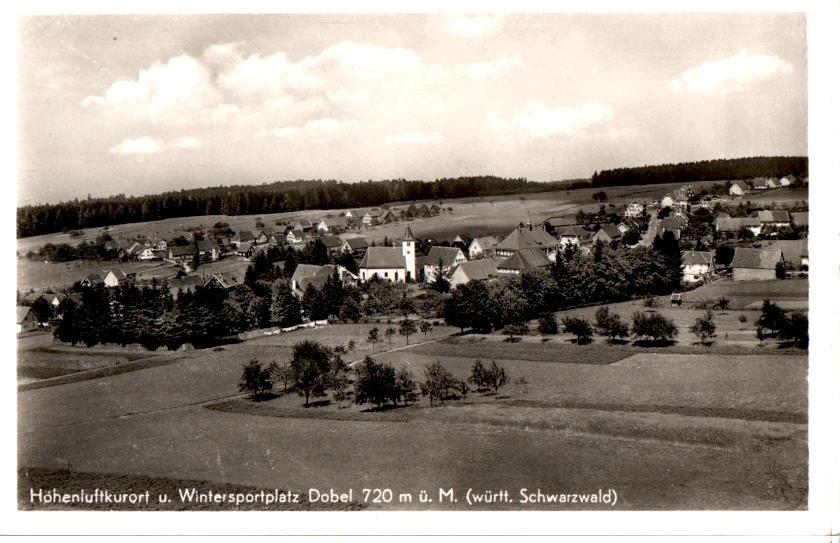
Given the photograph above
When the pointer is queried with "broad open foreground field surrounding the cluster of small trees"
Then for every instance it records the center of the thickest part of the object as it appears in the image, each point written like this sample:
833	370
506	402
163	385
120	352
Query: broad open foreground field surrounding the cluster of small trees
626	424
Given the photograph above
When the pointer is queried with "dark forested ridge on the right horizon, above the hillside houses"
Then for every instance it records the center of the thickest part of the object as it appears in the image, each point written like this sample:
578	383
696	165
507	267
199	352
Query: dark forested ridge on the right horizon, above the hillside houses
704	170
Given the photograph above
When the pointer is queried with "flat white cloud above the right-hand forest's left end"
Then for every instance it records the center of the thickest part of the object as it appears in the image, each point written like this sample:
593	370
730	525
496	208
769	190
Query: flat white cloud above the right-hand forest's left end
538	120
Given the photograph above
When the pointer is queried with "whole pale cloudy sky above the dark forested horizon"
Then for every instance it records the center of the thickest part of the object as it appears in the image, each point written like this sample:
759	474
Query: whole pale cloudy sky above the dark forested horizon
142	104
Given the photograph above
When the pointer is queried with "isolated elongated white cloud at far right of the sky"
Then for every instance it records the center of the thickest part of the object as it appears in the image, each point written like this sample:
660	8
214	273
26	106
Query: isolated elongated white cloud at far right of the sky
732	74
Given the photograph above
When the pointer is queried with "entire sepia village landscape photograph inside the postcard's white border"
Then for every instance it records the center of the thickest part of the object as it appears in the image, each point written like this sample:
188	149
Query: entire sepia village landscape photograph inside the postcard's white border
421	262
